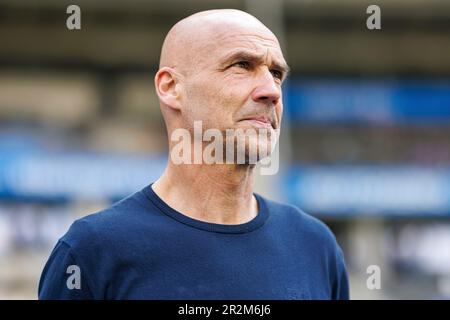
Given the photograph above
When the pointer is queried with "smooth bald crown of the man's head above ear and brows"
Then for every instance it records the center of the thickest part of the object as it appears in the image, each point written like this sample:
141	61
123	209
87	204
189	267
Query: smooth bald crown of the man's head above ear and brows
194	37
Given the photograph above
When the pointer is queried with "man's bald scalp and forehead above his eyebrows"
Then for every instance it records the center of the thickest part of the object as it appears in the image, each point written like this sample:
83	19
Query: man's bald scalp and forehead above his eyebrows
212	33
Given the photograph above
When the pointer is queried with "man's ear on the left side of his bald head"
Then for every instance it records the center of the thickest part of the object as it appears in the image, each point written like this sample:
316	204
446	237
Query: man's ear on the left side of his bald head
168	87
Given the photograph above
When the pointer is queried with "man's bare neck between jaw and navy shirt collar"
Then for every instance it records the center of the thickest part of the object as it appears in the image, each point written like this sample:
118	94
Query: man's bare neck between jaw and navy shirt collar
212	193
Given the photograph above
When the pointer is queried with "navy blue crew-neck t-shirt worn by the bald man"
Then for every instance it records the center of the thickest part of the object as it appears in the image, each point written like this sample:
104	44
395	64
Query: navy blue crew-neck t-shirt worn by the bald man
140	248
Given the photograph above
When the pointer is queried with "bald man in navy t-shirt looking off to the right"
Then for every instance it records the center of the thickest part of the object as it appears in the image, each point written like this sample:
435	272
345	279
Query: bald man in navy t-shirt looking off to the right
199	231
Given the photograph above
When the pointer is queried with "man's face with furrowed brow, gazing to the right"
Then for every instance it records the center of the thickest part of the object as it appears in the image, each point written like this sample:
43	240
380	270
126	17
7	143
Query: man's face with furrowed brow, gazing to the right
235	83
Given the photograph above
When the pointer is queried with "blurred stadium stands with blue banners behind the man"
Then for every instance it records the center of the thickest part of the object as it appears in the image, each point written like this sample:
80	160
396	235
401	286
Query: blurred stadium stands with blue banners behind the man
365	147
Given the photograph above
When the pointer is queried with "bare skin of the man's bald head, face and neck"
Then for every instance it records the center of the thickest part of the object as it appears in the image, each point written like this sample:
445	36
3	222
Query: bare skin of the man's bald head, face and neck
225	68
